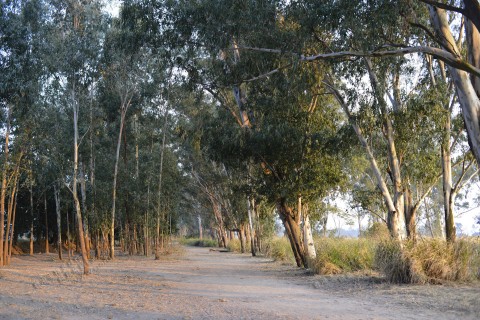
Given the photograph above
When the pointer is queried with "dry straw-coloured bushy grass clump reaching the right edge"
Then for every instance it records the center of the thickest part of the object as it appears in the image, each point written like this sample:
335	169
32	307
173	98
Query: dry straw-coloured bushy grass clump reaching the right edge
429	261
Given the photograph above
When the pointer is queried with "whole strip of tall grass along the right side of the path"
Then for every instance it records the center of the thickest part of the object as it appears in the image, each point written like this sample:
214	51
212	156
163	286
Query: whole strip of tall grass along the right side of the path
426	261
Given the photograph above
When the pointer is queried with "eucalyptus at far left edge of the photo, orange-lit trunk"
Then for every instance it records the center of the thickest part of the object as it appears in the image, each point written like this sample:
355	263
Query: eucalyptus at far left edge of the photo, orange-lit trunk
20	62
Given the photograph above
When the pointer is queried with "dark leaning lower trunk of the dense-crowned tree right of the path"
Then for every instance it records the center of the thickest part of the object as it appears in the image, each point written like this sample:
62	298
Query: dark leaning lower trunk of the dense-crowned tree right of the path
290	222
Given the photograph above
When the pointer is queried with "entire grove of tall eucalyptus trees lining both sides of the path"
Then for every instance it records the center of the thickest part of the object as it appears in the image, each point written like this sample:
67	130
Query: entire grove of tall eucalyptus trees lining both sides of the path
218	117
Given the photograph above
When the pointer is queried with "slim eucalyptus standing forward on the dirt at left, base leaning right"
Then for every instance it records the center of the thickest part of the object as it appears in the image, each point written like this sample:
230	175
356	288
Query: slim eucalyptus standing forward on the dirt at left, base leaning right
76	33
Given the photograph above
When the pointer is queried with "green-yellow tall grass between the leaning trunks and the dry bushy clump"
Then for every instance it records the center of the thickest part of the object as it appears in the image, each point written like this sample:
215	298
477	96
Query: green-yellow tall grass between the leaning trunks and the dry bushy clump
340	255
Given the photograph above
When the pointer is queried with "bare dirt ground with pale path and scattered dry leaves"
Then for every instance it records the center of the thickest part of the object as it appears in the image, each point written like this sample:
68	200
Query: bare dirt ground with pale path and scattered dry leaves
196	283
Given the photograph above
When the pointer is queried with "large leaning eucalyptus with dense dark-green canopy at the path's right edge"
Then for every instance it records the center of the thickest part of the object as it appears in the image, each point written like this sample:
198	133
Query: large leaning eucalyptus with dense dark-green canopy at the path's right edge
215	62
